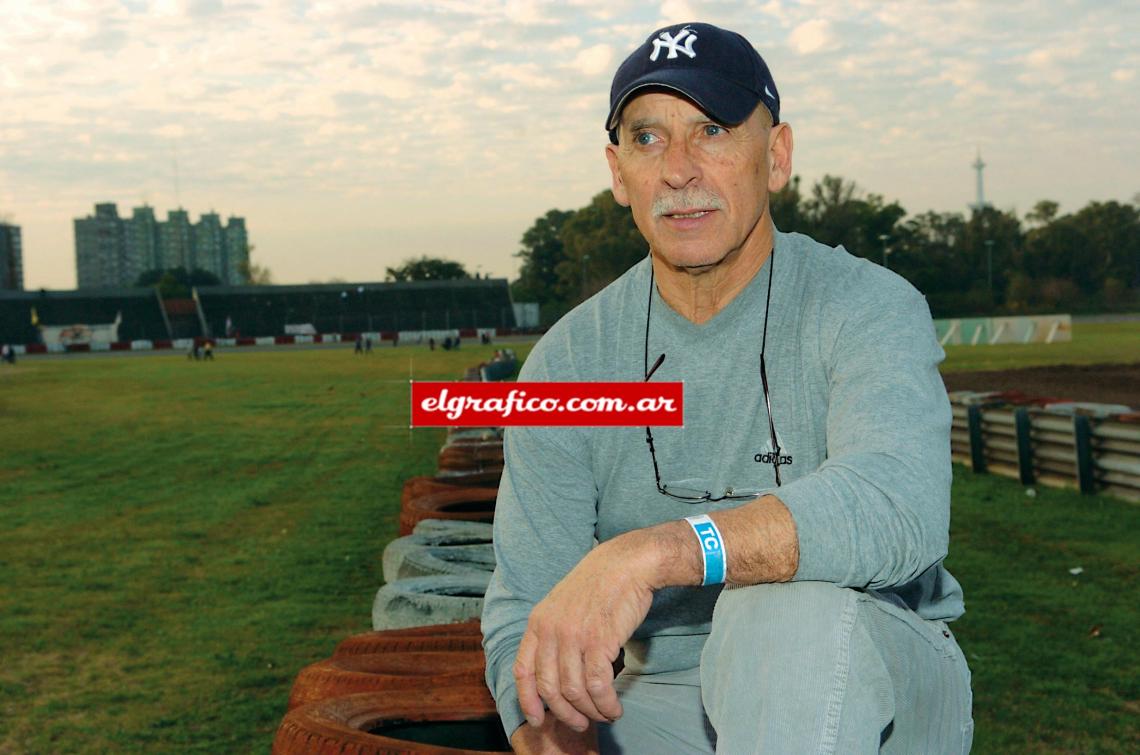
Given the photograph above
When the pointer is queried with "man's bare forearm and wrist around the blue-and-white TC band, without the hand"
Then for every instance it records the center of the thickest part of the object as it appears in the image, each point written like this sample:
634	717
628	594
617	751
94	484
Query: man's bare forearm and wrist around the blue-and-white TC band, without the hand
760	541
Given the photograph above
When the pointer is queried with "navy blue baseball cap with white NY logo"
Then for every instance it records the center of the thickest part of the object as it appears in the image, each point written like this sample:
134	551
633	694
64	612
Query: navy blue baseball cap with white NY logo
716	69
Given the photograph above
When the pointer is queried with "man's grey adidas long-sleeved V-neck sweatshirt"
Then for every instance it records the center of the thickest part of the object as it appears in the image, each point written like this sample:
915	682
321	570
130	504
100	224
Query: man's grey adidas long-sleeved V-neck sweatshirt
861	416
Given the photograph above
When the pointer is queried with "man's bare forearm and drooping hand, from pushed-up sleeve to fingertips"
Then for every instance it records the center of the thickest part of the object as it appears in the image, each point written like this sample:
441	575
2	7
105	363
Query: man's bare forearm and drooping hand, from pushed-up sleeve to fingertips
566	657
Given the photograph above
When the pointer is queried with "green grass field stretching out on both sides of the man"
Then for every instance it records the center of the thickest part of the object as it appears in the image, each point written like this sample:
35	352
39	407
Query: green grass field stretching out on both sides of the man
178	540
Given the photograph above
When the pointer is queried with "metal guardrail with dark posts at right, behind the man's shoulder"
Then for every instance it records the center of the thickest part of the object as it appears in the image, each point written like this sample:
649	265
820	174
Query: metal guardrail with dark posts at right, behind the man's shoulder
1095	449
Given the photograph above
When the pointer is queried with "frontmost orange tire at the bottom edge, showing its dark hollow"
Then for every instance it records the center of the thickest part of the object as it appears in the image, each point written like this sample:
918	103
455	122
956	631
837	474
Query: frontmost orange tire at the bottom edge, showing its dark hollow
463	717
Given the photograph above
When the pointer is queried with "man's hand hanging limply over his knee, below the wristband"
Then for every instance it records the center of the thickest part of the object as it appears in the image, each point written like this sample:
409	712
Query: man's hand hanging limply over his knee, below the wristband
567	655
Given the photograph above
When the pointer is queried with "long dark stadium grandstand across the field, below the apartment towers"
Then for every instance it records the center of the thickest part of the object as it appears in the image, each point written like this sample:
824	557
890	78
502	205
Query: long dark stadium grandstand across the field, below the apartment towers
265	311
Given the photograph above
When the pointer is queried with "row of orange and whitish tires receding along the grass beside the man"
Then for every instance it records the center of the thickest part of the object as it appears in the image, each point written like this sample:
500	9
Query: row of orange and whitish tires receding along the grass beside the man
416	684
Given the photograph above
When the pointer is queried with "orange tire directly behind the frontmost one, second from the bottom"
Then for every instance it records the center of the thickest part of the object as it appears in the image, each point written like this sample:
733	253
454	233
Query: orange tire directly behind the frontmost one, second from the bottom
386	672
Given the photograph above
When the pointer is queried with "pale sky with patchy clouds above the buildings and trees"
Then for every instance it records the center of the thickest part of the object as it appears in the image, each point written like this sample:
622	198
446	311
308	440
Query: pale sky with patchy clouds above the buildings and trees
354	135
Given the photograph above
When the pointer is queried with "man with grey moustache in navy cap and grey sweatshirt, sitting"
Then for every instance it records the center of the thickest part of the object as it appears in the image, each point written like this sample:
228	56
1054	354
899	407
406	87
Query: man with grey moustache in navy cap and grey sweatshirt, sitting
773	569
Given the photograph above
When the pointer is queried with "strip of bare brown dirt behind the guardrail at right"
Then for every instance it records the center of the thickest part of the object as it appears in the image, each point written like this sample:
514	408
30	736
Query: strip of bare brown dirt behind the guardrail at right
1113	384
